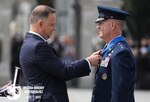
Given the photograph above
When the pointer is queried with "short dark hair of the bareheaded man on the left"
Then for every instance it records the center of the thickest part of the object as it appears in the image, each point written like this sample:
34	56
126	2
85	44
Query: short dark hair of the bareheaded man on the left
40	12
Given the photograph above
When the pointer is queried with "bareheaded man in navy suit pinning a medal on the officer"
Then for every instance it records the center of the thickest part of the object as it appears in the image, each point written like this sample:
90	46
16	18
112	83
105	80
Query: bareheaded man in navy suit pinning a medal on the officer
44	72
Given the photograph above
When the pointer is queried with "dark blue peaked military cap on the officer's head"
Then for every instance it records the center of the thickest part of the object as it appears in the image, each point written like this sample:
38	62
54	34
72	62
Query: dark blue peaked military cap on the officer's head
110	13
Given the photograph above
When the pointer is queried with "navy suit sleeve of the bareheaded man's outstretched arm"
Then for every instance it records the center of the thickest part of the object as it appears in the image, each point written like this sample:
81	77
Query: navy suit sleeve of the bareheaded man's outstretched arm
46	59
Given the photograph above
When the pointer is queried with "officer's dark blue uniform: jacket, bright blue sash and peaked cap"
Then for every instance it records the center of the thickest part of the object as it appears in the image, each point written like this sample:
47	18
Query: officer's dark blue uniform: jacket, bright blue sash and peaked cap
114	80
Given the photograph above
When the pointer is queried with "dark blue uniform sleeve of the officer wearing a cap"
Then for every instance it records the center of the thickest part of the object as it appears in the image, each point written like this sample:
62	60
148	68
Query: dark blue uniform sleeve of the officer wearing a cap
122	75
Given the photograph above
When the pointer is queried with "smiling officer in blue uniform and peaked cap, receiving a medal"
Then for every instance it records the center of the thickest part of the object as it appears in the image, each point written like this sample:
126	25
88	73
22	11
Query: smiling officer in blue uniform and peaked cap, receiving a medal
114	80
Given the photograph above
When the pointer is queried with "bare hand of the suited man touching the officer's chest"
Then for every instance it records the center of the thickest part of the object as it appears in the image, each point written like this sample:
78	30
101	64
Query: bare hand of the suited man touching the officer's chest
95	58
